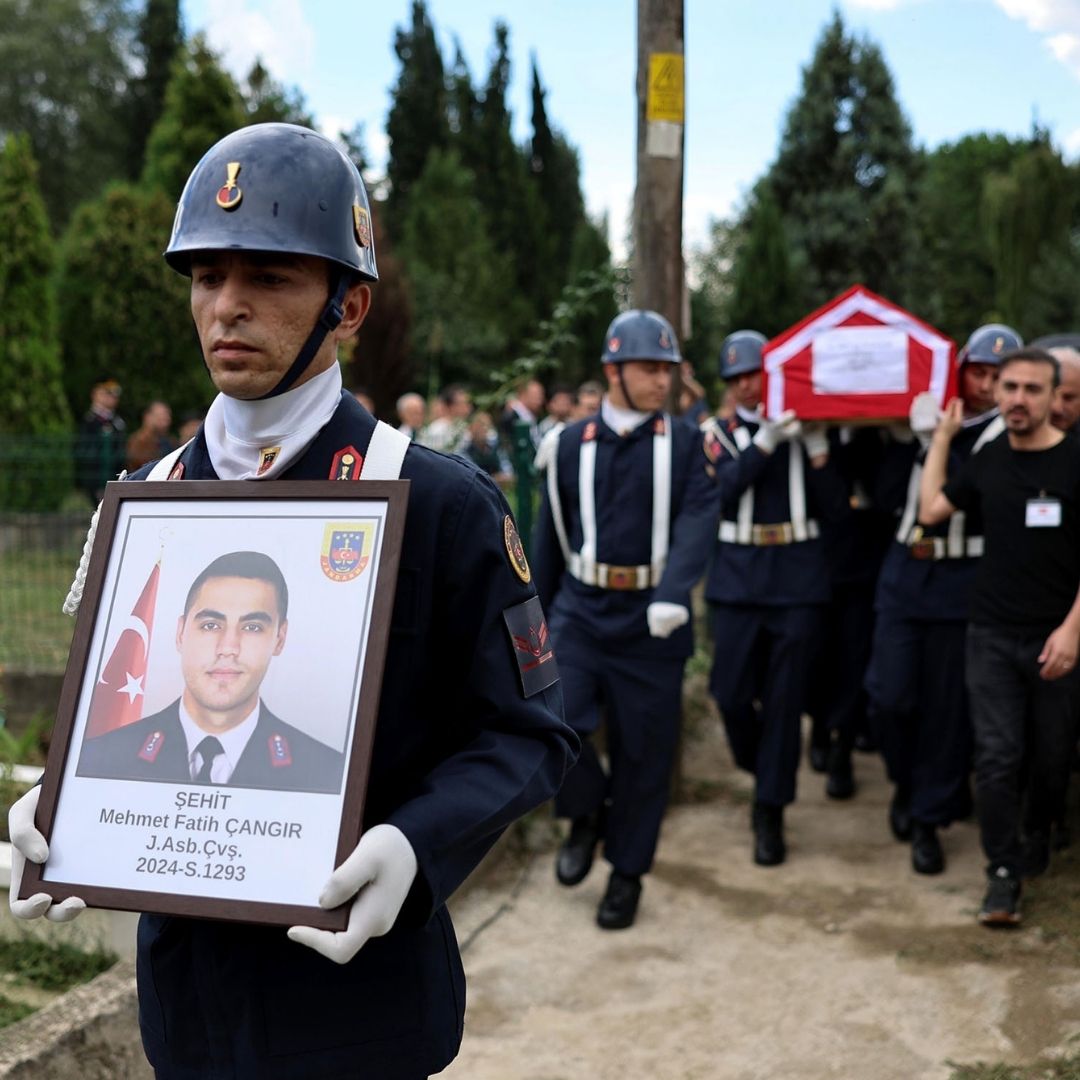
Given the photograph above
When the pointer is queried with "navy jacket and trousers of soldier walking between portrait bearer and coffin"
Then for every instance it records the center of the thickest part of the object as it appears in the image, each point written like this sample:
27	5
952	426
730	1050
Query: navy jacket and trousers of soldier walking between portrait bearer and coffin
611	668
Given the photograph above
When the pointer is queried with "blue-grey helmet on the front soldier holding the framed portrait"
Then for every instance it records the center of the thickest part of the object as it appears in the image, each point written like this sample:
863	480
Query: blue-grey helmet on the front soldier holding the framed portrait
276	188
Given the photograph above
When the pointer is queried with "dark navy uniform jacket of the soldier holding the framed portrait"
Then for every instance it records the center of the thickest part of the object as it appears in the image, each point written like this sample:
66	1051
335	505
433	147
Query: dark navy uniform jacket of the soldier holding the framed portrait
461	752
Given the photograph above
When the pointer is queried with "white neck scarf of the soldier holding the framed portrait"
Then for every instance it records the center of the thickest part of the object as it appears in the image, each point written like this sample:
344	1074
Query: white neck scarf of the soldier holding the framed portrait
261	440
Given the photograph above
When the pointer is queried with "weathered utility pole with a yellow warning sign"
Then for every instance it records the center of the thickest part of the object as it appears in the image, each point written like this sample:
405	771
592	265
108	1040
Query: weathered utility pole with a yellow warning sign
659	278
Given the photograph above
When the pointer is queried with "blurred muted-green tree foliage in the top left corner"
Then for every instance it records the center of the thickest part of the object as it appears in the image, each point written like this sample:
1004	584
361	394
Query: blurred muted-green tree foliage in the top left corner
64	76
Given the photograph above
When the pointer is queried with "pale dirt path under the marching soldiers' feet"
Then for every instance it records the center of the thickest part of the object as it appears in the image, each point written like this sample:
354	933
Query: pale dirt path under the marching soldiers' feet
841	964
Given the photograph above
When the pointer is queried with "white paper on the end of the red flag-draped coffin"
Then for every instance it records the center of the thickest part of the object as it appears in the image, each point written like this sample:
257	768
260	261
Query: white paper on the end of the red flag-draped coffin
860	360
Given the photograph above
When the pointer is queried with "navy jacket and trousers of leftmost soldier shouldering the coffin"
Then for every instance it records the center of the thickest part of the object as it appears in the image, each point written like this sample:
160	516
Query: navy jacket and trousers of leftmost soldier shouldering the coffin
767	603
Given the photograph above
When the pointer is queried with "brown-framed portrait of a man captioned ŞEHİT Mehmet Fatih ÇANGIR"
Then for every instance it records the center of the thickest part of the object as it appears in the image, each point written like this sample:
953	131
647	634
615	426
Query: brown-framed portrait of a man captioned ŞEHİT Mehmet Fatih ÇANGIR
213	739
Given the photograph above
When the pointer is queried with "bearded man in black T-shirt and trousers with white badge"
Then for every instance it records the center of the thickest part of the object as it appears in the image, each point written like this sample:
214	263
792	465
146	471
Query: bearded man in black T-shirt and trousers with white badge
1024	634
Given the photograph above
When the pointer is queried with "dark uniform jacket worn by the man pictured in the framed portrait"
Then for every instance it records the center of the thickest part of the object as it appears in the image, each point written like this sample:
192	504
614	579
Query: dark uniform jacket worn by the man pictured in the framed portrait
278	755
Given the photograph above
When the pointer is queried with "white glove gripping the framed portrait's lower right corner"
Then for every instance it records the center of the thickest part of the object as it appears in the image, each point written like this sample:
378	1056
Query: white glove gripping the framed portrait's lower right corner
380	874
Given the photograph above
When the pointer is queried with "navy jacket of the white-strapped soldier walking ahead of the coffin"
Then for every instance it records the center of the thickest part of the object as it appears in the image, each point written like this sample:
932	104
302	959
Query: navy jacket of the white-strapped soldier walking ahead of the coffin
624	487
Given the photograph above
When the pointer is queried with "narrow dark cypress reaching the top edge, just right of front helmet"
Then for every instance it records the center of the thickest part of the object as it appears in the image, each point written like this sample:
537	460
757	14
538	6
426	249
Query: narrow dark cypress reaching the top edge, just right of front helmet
417	124
